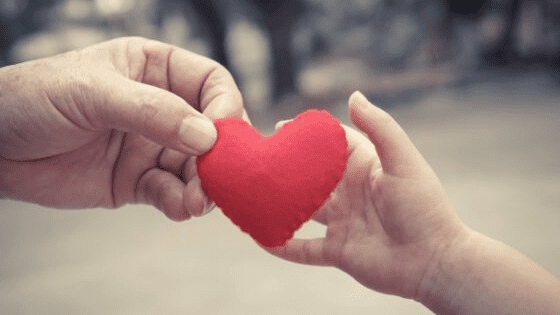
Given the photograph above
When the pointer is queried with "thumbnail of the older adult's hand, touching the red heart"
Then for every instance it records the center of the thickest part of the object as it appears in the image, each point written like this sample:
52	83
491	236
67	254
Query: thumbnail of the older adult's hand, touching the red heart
198	133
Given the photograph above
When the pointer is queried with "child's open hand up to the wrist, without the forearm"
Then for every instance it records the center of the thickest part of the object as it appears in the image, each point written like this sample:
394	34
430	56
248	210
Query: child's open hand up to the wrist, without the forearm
388	219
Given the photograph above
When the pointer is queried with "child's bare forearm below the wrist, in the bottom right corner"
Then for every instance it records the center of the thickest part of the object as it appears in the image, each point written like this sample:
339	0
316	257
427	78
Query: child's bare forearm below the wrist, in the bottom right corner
484	276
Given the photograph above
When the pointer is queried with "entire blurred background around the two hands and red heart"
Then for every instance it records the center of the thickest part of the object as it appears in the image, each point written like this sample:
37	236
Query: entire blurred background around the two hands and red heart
475	84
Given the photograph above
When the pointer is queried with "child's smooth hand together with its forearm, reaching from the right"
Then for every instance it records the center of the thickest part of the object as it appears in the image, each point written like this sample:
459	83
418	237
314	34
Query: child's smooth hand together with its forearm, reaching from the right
392	228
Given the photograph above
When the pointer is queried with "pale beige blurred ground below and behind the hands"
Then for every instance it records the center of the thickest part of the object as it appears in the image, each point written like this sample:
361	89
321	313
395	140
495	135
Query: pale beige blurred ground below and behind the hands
494	144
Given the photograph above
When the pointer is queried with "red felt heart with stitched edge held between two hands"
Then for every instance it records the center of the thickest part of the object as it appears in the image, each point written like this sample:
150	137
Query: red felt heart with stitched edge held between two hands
269	186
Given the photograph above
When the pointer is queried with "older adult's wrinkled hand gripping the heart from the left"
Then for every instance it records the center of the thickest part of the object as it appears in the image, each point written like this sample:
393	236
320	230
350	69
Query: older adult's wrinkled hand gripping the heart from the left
115	123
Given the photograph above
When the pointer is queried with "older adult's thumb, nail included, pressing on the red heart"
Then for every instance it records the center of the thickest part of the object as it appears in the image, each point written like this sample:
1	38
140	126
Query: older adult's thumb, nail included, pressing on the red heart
157	114
